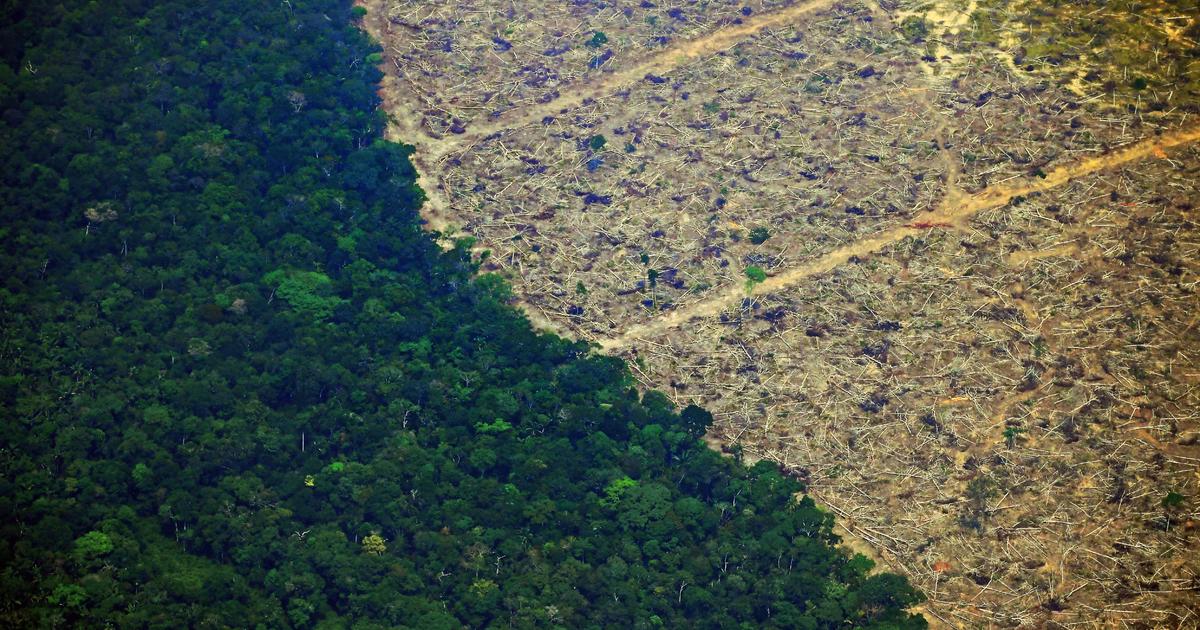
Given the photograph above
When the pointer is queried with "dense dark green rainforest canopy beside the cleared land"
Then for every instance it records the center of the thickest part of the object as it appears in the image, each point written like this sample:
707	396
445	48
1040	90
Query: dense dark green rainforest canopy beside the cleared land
242	388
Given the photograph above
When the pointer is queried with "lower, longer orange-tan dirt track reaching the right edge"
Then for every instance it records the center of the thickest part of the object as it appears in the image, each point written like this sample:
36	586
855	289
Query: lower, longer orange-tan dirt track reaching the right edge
952	212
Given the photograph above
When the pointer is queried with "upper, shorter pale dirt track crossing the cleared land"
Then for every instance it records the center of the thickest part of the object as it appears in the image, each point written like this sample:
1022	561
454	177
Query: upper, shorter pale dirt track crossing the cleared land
661	63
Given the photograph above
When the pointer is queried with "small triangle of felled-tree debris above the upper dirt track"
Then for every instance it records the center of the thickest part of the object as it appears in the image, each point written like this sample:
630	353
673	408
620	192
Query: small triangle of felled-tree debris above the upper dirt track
473	62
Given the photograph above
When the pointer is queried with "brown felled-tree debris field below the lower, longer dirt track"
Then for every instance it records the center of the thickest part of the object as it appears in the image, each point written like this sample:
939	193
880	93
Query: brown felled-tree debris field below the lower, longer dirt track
1046	355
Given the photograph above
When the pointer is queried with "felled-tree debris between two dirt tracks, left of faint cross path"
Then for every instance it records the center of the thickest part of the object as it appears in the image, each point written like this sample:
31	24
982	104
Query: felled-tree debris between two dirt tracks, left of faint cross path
694	161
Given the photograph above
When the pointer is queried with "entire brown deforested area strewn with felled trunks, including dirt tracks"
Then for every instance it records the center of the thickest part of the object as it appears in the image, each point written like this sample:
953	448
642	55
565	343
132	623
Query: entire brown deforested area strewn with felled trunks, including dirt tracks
977	334
